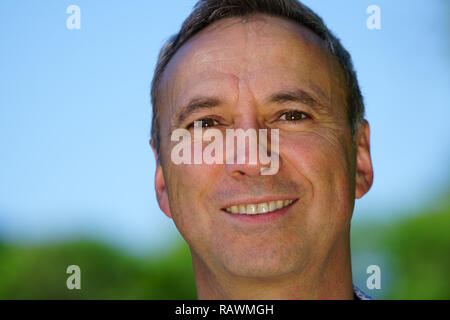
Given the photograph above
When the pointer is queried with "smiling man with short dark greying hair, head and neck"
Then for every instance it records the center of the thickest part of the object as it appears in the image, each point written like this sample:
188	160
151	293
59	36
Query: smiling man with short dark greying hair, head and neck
263	65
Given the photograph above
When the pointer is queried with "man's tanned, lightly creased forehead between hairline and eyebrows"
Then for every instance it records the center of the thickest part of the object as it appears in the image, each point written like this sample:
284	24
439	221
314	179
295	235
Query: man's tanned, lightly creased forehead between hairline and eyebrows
262	51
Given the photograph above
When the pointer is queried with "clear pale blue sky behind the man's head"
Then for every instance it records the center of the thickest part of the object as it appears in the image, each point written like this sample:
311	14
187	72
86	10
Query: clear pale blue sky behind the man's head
75	113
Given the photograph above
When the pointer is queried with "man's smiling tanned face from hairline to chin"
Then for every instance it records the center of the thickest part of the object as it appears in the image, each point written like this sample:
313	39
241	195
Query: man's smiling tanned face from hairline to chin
265	73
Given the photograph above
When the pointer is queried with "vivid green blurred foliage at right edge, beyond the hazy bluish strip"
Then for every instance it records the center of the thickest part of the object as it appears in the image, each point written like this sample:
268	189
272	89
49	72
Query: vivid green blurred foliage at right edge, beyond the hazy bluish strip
420	250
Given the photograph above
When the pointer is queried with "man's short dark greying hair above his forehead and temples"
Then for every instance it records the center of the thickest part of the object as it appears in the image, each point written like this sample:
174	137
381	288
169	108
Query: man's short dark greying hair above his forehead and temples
206	12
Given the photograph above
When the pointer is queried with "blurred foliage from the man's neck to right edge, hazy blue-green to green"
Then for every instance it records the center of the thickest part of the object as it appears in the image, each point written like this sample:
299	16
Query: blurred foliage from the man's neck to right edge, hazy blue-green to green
413	253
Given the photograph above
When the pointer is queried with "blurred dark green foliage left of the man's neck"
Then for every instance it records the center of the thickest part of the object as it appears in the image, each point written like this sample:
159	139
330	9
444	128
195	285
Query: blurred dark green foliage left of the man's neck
40	273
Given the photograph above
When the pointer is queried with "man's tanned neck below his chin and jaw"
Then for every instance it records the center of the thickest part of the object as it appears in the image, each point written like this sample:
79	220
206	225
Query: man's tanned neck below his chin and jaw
329	277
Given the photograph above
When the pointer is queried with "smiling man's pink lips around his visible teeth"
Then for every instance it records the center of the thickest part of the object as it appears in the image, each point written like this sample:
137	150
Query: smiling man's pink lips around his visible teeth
259	218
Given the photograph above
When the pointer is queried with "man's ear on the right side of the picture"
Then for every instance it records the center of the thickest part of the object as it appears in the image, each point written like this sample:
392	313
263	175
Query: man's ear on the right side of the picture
364	170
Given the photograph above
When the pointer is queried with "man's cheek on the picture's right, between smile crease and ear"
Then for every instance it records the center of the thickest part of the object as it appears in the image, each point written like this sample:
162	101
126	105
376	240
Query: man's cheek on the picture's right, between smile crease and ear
323	163
